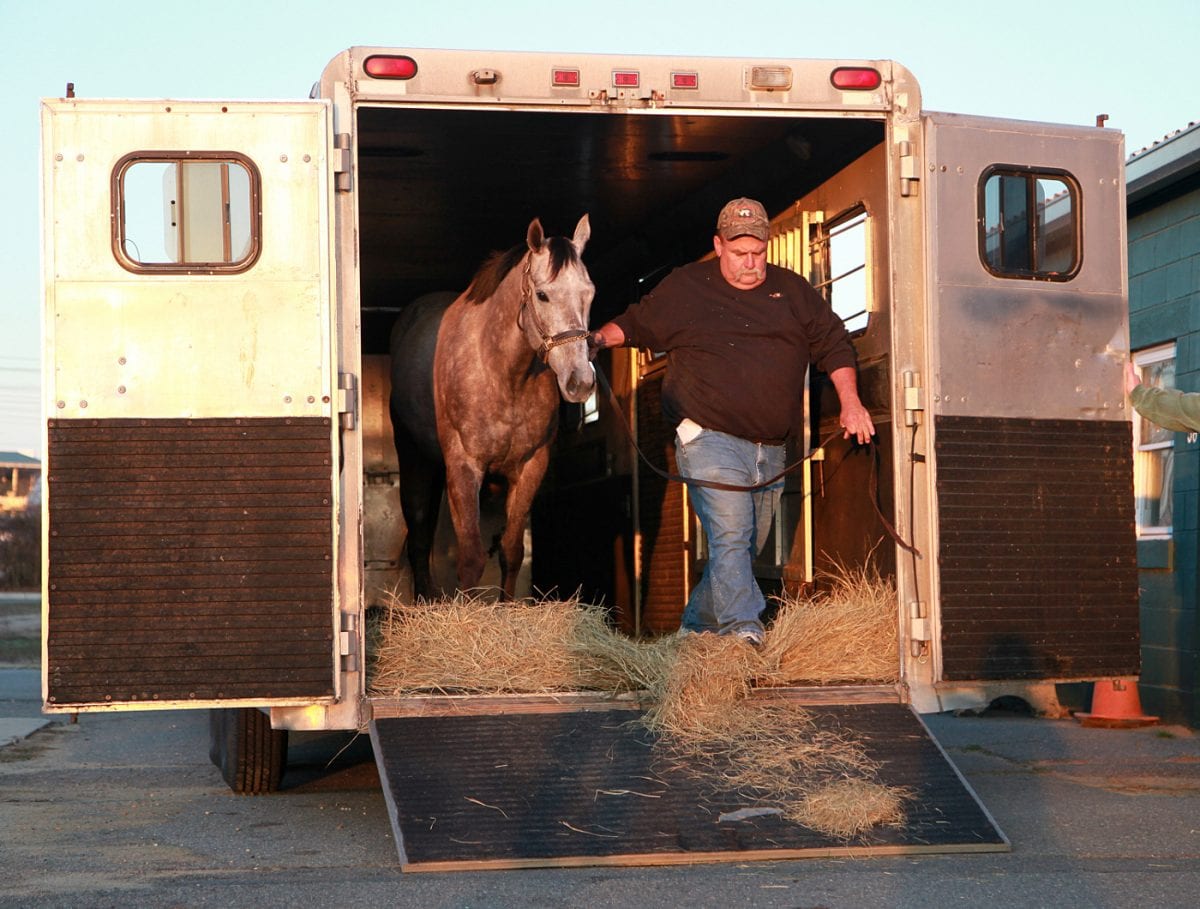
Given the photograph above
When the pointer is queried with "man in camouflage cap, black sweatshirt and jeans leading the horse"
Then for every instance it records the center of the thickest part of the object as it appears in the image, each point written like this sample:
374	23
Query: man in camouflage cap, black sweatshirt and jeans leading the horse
741	335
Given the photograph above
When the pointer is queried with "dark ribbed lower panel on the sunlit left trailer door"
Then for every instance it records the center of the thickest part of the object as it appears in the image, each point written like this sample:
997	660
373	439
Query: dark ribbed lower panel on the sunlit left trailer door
190	561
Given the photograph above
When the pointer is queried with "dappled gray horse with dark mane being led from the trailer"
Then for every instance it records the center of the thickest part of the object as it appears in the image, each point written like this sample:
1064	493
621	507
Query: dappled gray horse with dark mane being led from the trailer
475	395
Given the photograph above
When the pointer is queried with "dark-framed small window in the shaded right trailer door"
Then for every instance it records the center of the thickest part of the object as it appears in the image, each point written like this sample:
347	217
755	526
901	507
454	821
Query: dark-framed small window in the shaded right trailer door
1029	224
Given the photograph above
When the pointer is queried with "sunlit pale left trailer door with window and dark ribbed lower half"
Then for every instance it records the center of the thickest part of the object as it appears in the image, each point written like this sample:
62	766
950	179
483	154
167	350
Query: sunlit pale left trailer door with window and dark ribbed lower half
190	405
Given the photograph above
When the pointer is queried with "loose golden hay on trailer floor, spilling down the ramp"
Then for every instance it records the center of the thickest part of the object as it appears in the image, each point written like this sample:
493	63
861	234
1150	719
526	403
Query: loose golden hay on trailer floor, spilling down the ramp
776	756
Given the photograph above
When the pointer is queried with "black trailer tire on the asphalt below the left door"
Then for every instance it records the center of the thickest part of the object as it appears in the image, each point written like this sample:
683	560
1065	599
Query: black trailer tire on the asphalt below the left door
250	755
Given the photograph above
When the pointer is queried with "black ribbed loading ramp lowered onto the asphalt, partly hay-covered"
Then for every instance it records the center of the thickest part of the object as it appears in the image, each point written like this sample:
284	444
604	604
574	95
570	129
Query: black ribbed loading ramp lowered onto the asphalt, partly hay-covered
590	787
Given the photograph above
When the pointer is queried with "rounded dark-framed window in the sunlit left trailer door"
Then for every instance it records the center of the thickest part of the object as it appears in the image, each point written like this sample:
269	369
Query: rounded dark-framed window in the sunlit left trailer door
187	213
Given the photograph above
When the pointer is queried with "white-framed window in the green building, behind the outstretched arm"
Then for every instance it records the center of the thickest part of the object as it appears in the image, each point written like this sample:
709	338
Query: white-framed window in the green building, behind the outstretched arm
1154	463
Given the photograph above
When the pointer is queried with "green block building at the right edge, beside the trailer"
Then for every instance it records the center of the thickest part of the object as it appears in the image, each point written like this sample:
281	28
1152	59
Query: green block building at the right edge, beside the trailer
1163	206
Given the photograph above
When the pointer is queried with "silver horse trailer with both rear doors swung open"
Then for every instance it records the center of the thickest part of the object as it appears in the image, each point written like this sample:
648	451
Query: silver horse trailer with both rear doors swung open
221	502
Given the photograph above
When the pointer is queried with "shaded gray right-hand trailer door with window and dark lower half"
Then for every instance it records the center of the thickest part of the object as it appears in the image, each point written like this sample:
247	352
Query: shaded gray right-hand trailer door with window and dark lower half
1036	553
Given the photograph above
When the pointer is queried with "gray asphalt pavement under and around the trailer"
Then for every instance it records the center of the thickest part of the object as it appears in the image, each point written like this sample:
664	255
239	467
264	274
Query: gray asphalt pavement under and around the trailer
127	810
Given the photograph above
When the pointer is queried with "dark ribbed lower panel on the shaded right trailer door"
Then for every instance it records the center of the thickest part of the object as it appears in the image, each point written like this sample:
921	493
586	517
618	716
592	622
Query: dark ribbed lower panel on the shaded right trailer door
1037	552
